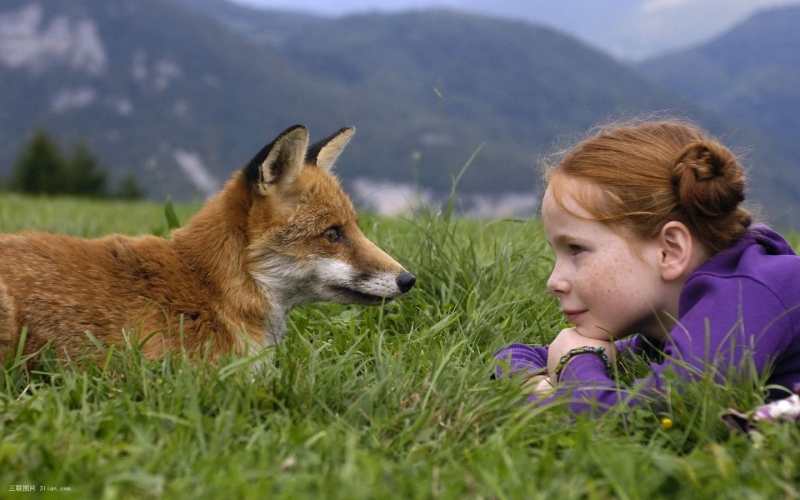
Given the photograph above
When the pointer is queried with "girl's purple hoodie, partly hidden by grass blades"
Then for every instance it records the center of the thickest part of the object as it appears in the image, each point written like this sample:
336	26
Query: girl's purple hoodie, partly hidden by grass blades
743	301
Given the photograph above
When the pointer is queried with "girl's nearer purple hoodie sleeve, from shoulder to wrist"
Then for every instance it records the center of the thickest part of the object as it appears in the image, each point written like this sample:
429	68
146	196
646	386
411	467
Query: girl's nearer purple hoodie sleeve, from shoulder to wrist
718	328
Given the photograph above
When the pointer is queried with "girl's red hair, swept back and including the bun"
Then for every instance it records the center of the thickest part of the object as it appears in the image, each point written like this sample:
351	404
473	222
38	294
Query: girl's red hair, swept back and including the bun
642	176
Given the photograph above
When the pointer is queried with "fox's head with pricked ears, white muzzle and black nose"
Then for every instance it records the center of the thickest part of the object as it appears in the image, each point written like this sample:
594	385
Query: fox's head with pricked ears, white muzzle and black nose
304	241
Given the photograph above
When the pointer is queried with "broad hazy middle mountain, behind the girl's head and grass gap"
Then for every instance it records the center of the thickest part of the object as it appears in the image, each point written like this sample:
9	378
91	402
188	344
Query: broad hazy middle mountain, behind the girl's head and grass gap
522	86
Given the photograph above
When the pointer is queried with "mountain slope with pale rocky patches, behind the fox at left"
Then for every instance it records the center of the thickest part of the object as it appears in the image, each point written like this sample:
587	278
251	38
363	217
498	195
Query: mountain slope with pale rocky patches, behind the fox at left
177	98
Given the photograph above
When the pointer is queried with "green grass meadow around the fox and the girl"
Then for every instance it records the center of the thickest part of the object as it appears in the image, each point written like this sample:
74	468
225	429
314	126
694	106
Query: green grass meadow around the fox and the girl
369	402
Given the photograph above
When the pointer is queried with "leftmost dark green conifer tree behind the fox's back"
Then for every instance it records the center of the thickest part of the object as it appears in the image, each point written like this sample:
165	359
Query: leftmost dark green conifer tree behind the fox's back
40	168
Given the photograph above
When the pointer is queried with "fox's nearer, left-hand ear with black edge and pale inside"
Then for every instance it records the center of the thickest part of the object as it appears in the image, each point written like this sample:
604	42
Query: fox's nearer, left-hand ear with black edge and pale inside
279	162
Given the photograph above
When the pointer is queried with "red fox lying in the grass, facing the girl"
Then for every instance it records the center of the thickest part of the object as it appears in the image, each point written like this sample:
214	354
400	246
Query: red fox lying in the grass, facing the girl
280	233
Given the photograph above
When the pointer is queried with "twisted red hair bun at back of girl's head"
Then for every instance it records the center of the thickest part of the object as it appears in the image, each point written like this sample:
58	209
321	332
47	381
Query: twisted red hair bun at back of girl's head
708	180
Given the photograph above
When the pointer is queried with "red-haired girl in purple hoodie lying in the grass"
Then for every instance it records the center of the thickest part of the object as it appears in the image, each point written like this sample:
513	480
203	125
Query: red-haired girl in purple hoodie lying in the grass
651	241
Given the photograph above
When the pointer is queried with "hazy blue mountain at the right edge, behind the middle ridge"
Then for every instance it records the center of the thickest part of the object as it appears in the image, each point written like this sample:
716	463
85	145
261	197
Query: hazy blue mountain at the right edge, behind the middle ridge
751	74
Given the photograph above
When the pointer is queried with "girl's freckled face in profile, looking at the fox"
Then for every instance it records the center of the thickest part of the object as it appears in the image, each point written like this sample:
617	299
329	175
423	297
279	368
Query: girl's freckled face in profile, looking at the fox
609	282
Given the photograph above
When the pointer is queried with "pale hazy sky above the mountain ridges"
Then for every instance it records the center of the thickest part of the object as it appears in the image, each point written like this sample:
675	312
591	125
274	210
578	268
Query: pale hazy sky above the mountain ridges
629	29
